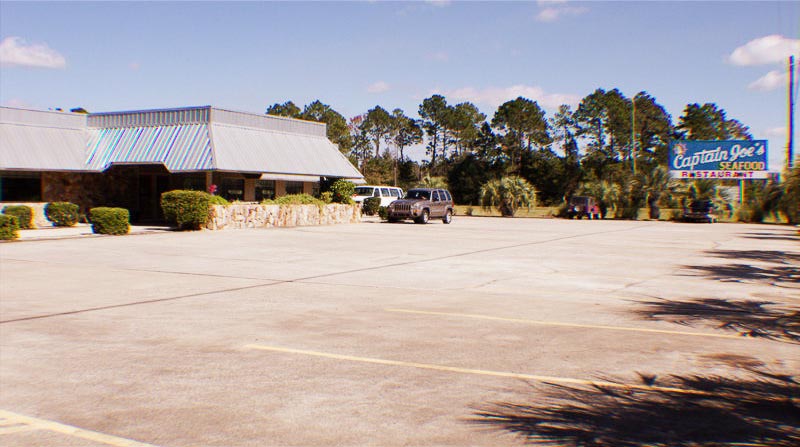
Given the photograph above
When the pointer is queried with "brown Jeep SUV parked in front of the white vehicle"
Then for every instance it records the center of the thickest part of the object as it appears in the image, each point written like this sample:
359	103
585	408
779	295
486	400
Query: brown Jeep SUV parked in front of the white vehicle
422	204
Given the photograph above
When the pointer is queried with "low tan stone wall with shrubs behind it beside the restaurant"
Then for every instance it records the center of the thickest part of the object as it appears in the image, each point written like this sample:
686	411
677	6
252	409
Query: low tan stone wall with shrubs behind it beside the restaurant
238	216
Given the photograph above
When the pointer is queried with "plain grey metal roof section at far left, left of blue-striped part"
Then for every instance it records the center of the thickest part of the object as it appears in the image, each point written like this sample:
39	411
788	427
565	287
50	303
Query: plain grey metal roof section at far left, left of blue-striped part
42	141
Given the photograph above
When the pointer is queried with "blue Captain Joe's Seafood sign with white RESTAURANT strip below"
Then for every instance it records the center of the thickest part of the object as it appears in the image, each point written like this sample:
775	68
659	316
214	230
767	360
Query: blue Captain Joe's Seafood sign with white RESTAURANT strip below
726	159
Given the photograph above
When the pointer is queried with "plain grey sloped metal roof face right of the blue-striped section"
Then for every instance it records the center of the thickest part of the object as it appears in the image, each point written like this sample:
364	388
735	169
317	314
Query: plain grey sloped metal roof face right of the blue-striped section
257	150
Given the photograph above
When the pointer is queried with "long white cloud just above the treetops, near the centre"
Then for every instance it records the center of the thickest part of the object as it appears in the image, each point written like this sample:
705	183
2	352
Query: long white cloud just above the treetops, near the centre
492	97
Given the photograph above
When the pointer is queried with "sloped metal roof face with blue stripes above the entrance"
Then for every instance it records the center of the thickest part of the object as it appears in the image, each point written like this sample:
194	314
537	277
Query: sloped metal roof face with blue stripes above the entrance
183	147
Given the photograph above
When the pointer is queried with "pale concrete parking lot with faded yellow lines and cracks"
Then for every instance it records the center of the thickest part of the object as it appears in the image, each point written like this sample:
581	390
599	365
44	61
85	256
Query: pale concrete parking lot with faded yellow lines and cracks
365	334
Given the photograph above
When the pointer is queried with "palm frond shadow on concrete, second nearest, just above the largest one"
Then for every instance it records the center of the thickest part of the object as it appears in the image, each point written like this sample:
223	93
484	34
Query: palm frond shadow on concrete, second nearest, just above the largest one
749	318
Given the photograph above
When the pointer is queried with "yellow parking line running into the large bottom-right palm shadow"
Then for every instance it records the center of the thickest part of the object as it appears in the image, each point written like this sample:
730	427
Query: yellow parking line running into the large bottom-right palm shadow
481	372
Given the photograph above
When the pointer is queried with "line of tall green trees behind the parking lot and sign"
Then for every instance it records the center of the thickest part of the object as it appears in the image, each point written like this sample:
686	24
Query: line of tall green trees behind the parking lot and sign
611	146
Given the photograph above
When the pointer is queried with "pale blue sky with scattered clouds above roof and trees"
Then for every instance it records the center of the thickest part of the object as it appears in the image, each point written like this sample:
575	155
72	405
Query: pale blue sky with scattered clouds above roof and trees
112	56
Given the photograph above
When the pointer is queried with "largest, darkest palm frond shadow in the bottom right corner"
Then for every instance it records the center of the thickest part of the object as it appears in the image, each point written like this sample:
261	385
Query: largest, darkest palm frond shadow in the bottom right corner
714	411
